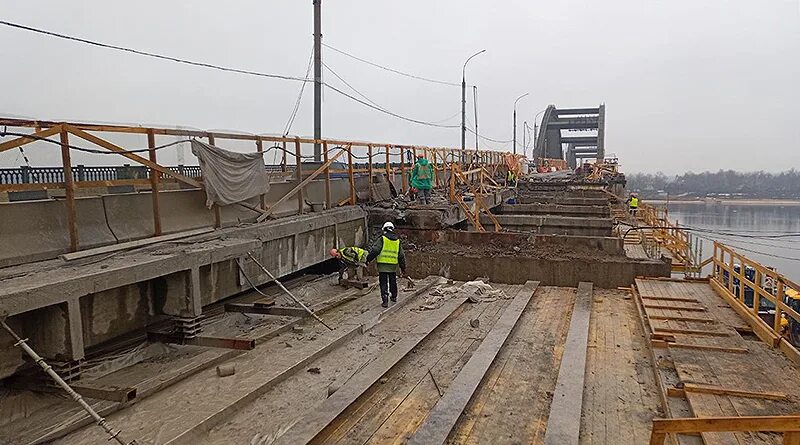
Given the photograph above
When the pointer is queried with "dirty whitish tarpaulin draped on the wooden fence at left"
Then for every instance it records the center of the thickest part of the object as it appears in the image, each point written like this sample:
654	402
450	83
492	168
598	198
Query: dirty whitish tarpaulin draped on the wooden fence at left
230	177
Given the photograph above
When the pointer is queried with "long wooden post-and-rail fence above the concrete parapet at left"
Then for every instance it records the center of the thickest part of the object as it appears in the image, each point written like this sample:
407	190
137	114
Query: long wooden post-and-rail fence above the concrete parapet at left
394	161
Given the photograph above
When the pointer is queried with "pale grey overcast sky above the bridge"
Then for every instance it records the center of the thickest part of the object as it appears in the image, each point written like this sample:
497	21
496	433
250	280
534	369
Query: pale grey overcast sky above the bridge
688	85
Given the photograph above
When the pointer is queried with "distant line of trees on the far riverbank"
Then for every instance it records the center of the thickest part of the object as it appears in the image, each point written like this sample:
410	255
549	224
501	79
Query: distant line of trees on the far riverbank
722	183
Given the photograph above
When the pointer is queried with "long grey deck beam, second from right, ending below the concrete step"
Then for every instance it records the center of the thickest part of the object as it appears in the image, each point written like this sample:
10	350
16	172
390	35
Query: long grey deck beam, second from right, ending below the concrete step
444	415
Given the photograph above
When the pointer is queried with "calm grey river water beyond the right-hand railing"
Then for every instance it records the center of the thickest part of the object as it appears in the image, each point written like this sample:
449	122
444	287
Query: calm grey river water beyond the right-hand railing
755	219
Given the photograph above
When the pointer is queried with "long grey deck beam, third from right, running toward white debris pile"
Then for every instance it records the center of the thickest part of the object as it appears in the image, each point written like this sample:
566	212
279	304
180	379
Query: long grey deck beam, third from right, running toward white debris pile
308	426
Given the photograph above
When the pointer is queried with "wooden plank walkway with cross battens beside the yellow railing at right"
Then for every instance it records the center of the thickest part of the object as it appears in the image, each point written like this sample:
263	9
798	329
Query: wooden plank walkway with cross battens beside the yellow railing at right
717	356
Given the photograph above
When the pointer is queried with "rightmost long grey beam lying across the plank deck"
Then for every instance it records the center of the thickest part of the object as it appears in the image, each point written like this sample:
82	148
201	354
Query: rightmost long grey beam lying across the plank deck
563	424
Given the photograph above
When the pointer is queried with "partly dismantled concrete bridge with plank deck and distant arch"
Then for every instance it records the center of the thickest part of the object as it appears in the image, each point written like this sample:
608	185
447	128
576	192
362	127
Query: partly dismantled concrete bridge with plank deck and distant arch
539	308
